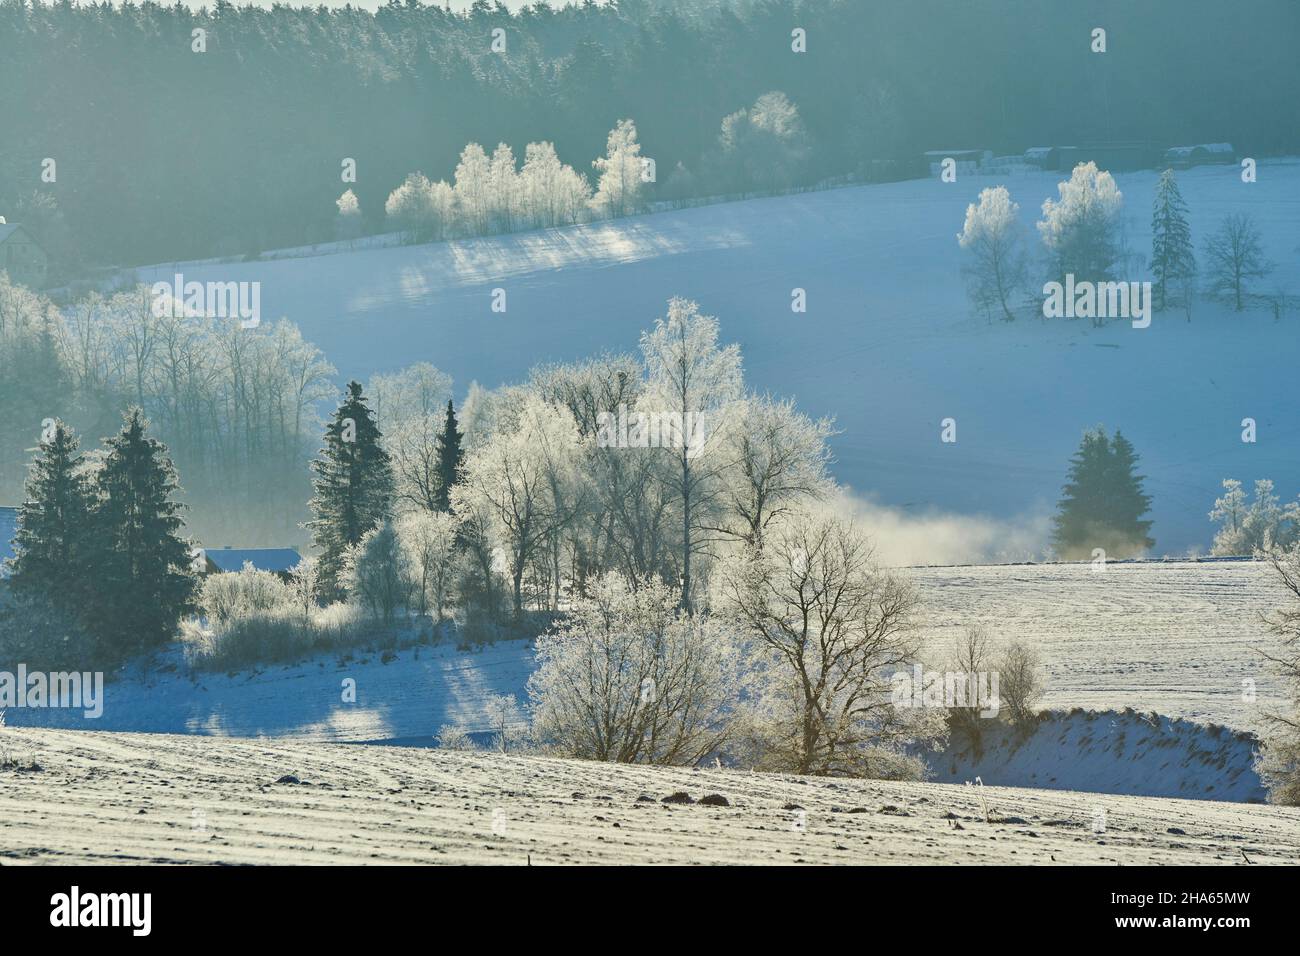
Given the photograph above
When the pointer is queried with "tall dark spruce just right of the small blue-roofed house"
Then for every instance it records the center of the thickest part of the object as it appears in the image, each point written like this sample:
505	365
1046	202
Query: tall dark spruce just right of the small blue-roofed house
354	487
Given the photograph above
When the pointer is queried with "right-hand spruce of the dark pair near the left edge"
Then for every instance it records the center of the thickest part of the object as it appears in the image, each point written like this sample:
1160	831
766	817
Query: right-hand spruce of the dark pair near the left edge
142	582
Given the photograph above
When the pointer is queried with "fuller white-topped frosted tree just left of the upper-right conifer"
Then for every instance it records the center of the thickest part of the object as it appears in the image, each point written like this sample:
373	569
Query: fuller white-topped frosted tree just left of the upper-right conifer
1081	227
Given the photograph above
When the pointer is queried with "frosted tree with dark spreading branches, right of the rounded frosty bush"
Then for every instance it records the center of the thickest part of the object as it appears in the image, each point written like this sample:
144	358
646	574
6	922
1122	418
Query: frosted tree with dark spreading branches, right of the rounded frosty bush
827	630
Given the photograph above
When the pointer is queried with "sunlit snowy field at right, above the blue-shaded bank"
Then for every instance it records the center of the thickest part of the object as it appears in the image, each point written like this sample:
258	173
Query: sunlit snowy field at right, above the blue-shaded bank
1175	638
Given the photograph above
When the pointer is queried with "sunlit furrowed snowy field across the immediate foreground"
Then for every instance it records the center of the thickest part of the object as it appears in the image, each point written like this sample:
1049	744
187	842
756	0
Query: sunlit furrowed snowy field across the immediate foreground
157	799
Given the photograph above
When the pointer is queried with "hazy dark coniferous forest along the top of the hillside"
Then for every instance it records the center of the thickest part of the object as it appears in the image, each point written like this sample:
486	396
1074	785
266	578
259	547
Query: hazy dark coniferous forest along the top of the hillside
164	154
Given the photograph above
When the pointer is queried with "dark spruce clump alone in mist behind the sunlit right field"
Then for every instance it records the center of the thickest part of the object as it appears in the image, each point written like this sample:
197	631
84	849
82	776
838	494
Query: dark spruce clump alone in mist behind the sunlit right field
1103	501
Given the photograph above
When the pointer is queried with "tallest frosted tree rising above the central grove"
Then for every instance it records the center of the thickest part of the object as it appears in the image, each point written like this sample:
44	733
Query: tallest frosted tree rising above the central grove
695	382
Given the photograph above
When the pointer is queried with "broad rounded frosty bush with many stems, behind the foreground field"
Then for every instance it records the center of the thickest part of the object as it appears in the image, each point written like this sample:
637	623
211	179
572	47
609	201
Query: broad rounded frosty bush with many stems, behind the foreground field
630	678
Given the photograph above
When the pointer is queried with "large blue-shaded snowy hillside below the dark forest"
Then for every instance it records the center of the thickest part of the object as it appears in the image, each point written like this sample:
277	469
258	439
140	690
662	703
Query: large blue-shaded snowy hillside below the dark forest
889	345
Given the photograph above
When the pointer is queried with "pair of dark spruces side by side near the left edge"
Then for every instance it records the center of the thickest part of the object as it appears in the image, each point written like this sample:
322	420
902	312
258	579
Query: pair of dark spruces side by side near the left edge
101	570
